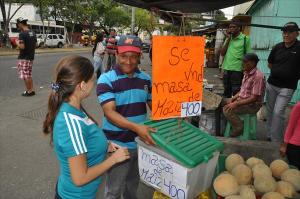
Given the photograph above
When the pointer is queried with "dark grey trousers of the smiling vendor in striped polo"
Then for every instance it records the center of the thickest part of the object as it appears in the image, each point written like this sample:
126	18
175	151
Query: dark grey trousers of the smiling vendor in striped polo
123	179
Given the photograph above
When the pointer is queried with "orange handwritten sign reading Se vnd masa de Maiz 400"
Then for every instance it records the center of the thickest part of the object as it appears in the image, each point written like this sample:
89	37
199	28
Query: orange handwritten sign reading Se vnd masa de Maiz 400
177	76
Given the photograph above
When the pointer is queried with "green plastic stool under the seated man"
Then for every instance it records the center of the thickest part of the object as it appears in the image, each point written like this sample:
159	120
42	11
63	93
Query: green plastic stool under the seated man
249	132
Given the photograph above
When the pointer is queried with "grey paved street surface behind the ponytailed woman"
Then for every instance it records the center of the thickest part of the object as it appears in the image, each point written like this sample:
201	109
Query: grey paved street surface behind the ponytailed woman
28	166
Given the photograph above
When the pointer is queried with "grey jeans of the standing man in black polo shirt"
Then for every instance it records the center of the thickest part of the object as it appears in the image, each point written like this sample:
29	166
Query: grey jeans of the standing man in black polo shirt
277	101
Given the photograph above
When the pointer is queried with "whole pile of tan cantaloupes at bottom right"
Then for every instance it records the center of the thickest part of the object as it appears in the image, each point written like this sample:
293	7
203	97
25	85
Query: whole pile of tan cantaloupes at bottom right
253	179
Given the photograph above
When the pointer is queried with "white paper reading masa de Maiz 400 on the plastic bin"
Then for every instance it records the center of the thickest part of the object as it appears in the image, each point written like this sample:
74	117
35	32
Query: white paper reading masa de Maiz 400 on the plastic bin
166	176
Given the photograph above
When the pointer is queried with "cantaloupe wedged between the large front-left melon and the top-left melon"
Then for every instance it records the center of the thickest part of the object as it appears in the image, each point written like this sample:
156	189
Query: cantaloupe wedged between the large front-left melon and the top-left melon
242	173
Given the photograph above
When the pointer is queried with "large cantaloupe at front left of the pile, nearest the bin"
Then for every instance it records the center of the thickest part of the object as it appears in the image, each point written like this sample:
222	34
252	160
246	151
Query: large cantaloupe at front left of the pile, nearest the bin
226	185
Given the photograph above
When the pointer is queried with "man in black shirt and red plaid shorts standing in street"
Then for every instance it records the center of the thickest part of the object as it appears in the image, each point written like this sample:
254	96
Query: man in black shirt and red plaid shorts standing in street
26	44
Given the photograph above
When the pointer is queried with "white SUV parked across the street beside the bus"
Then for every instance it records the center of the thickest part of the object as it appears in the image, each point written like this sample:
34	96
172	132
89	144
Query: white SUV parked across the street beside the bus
53	40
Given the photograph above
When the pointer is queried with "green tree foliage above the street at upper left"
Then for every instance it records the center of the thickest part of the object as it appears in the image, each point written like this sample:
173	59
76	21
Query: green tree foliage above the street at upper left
90	14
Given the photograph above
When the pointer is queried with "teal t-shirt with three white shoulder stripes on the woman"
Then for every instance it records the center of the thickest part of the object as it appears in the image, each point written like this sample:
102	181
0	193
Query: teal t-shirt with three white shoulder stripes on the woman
74	134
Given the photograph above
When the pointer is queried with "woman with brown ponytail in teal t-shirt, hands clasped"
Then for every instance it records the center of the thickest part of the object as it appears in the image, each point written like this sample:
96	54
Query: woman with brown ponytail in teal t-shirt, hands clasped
79	144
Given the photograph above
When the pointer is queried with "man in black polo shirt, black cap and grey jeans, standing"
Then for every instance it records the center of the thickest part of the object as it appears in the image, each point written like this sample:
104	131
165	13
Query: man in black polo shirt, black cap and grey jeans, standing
283	62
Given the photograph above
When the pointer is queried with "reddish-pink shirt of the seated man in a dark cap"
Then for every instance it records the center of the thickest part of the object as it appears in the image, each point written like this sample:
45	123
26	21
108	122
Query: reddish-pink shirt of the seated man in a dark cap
253	84
